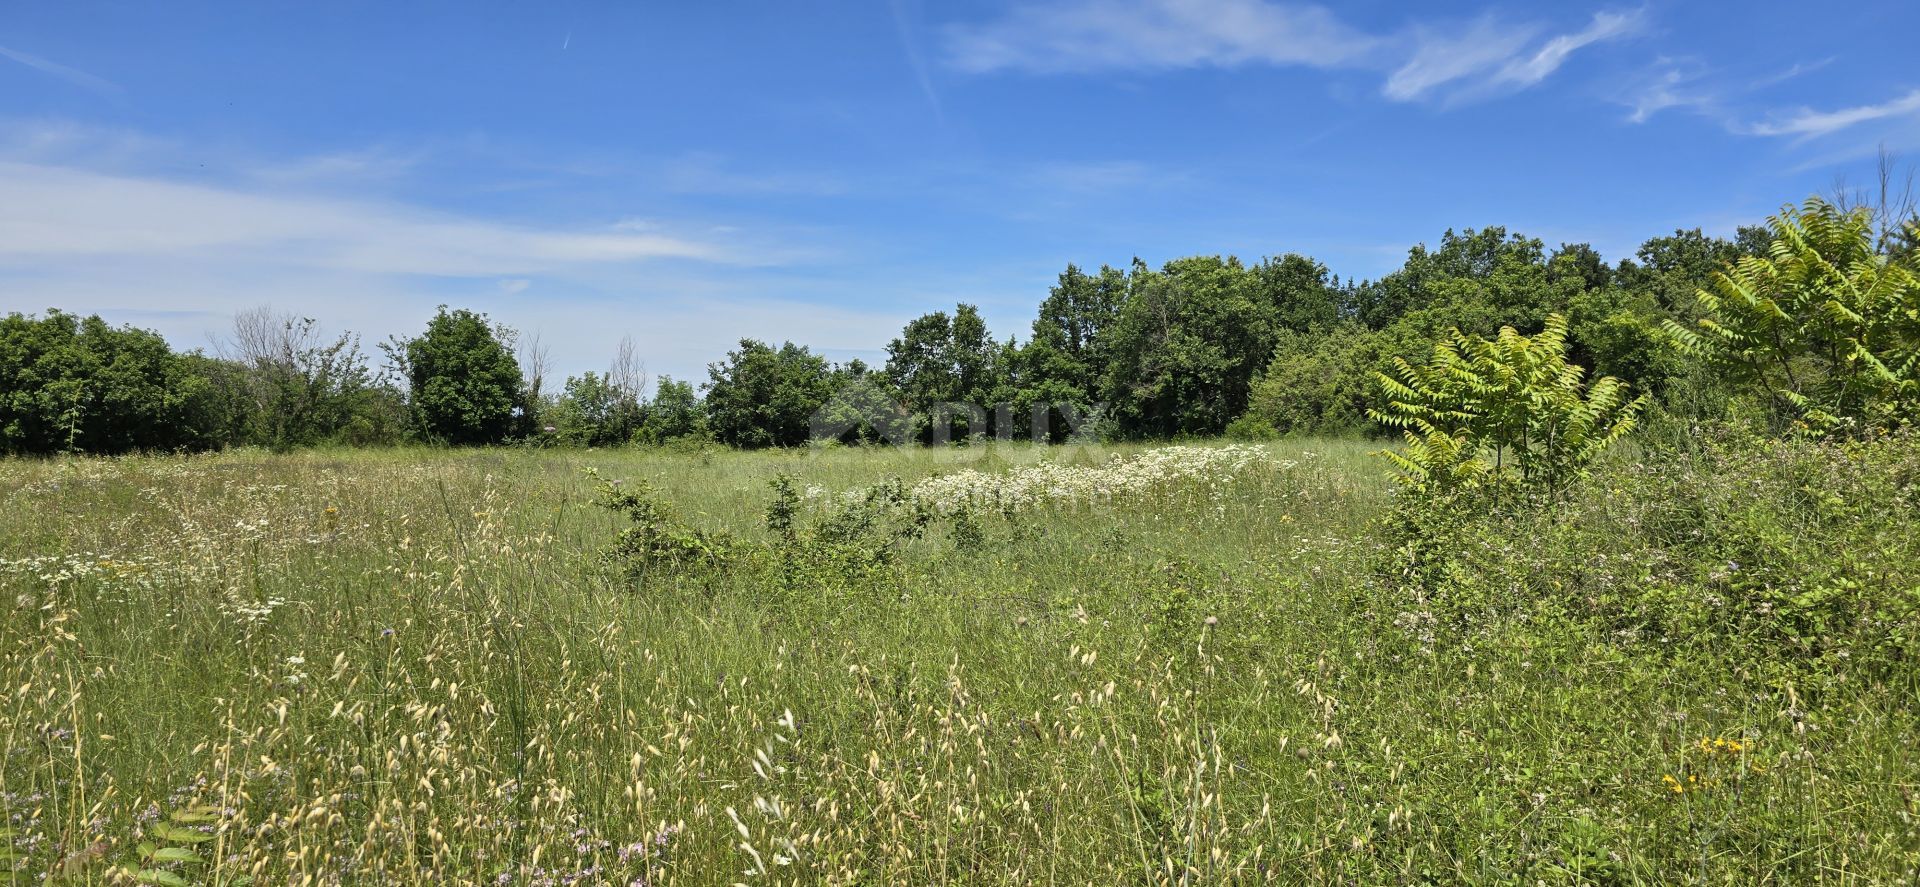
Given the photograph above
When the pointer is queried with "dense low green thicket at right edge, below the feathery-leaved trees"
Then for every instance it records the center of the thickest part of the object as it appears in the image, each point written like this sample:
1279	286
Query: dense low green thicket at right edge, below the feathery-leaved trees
1788	552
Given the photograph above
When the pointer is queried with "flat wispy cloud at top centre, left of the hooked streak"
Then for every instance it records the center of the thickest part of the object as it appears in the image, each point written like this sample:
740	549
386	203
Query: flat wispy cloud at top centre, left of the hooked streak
1101	36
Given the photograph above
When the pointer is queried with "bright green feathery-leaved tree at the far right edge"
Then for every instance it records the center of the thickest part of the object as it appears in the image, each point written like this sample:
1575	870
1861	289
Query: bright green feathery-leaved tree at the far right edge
1825	324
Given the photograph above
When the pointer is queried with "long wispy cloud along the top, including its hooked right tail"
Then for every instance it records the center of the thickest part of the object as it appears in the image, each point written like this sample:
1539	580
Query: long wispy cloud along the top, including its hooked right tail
1449	60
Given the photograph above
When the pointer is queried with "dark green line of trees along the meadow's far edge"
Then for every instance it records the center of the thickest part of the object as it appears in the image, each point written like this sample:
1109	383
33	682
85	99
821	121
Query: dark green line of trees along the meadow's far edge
1199	347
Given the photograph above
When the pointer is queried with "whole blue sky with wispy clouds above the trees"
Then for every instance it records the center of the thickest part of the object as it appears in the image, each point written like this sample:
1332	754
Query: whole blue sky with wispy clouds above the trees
694	174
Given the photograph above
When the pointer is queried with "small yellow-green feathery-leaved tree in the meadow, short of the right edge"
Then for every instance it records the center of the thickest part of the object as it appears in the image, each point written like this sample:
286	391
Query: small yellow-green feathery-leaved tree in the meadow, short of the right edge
1483	408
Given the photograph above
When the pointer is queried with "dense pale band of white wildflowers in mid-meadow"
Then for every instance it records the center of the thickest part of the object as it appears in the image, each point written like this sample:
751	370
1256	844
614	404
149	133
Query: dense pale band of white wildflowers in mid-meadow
1053	485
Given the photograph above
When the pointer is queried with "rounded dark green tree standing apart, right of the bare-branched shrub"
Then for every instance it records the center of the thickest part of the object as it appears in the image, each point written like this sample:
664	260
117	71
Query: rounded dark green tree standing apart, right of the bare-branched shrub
466	383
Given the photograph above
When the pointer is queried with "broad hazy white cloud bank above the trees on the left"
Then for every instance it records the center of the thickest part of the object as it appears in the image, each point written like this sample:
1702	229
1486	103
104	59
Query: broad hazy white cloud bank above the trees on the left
89	228
